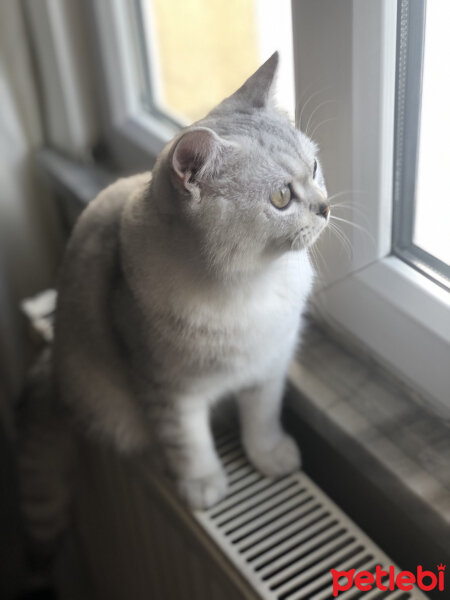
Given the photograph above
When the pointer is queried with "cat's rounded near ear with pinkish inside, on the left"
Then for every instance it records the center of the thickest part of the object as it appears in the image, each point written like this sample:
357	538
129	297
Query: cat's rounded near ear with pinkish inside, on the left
195	157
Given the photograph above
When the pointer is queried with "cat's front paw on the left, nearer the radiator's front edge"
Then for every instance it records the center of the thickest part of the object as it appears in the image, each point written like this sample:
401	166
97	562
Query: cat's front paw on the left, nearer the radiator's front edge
205	491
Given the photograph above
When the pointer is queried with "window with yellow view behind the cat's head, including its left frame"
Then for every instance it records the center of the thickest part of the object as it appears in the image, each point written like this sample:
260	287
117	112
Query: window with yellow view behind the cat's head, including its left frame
160	73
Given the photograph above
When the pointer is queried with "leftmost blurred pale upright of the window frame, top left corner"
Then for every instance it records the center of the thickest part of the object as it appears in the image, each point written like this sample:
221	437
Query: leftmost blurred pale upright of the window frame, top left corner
57	40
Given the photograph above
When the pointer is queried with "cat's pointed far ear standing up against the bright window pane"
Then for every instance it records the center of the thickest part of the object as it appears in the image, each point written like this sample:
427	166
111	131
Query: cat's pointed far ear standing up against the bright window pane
257	91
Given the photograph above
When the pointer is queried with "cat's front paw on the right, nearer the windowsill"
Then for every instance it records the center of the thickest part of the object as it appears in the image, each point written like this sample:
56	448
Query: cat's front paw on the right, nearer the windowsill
279	459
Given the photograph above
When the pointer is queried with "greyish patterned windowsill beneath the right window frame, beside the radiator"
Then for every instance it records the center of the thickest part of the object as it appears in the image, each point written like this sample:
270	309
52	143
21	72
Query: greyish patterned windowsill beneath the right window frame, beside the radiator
387	433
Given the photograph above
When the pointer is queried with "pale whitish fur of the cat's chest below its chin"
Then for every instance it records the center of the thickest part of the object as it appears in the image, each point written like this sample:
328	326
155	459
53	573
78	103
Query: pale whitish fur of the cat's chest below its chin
241	323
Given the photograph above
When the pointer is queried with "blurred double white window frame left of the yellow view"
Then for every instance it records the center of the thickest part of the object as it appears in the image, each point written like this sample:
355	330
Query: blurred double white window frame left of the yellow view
88	78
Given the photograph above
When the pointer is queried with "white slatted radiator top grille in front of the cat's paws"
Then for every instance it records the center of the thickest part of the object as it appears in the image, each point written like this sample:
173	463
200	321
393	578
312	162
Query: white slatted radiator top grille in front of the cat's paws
284	536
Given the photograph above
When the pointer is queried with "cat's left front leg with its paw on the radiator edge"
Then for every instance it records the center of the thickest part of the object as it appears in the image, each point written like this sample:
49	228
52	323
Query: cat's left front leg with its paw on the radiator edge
186	436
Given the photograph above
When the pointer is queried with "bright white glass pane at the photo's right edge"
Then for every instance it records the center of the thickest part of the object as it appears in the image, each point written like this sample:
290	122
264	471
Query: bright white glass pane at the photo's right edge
422	219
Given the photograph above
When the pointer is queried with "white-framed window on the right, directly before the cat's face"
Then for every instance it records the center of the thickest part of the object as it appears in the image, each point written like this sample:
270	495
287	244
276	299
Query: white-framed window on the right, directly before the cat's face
375	296
